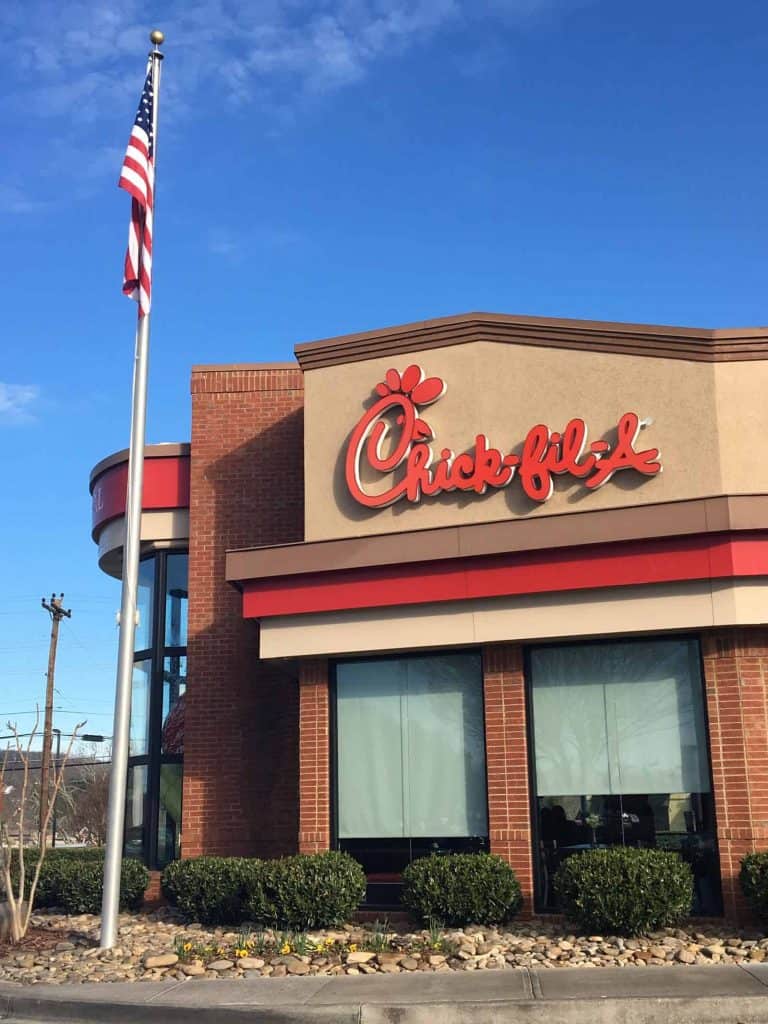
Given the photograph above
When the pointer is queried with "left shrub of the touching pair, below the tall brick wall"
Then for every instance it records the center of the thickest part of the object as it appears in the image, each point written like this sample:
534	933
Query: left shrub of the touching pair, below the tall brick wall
211	890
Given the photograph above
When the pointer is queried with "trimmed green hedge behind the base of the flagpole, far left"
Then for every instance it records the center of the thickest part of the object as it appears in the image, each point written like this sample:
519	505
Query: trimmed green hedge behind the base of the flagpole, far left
73	880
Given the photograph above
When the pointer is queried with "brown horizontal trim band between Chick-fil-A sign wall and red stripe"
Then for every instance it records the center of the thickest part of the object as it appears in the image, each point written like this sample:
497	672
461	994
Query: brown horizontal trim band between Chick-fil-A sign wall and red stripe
703	516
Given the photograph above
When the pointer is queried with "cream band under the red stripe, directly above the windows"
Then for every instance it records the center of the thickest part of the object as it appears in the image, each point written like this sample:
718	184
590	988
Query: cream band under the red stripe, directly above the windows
617	612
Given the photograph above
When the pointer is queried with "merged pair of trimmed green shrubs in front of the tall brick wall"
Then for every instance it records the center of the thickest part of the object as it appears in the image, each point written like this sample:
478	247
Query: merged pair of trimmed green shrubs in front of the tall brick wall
306	891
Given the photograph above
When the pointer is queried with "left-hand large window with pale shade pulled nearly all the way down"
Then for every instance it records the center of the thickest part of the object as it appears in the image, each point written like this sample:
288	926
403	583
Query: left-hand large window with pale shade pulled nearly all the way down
410	759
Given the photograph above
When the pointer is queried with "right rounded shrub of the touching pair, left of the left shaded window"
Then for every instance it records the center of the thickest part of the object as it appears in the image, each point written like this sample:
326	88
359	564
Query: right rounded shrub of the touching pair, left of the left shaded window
309	891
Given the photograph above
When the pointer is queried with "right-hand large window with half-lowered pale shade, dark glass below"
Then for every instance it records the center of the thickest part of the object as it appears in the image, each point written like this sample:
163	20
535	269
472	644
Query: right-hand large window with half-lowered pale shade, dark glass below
620	747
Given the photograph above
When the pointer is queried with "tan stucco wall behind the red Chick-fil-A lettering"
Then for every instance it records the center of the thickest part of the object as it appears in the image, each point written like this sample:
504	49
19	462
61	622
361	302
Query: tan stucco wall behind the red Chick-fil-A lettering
704	415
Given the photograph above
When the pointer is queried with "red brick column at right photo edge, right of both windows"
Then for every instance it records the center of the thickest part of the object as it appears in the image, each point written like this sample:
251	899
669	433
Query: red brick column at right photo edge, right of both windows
737	686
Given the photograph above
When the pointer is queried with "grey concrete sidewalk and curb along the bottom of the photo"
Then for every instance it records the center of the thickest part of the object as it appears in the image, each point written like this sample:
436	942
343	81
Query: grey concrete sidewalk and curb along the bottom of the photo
730	995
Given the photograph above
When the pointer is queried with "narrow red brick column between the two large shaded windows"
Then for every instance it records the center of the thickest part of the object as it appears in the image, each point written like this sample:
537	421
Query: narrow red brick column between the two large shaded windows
507	755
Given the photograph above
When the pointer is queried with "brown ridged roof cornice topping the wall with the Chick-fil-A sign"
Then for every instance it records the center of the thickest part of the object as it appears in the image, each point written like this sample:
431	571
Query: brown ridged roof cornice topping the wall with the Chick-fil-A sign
696	345
